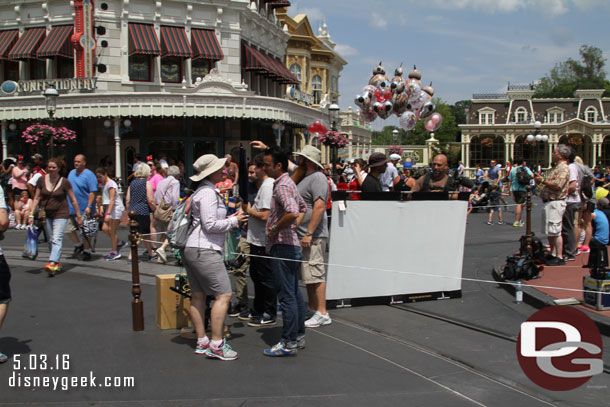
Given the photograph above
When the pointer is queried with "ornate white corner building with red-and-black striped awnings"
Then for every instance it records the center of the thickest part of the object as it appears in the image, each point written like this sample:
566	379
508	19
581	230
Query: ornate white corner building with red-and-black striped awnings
178	78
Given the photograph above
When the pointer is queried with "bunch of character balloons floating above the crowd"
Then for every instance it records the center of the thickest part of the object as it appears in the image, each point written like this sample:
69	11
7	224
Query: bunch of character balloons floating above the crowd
406	98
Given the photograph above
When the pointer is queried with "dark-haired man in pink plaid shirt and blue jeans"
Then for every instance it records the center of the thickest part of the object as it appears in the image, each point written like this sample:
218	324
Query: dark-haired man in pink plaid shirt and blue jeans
284	246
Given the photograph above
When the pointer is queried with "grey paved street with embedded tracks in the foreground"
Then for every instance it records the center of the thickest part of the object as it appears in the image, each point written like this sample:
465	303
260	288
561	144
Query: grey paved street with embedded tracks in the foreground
374	354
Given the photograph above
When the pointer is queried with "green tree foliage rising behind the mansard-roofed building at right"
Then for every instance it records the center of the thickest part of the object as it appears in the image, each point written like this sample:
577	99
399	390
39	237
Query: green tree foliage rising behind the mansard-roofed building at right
565	77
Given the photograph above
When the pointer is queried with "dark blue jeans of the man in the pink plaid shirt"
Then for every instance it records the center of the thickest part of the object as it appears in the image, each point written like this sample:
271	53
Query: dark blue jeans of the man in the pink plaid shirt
286	275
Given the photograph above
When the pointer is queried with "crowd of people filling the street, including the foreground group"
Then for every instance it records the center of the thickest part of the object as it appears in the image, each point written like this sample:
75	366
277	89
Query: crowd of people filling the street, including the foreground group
282	227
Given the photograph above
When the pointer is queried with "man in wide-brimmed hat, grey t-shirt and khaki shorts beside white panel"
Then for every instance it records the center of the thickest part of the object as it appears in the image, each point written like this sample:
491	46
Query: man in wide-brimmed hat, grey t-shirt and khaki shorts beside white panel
313	233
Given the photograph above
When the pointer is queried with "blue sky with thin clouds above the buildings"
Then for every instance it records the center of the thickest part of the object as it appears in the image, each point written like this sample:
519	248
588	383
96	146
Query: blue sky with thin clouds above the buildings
462	46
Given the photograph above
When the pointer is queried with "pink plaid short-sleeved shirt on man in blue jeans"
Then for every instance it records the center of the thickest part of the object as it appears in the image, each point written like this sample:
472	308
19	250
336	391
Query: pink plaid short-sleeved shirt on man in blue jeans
286	199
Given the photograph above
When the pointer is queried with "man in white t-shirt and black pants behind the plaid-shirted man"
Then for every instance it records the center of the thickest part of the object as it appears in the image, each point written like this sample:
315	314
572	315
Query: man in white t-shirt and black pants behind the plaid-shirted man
264	308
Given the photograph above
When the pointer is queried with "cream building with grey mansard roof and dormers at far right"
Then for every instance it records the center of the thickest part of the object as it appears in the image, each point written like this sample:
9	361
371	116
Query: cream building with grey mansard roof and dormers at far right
498	127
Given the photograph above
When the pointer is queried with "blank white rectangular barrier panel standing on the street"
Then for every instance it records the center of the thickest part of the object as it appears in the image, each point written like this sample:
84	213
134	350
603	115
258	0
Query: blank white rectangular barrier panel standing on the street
383	248
